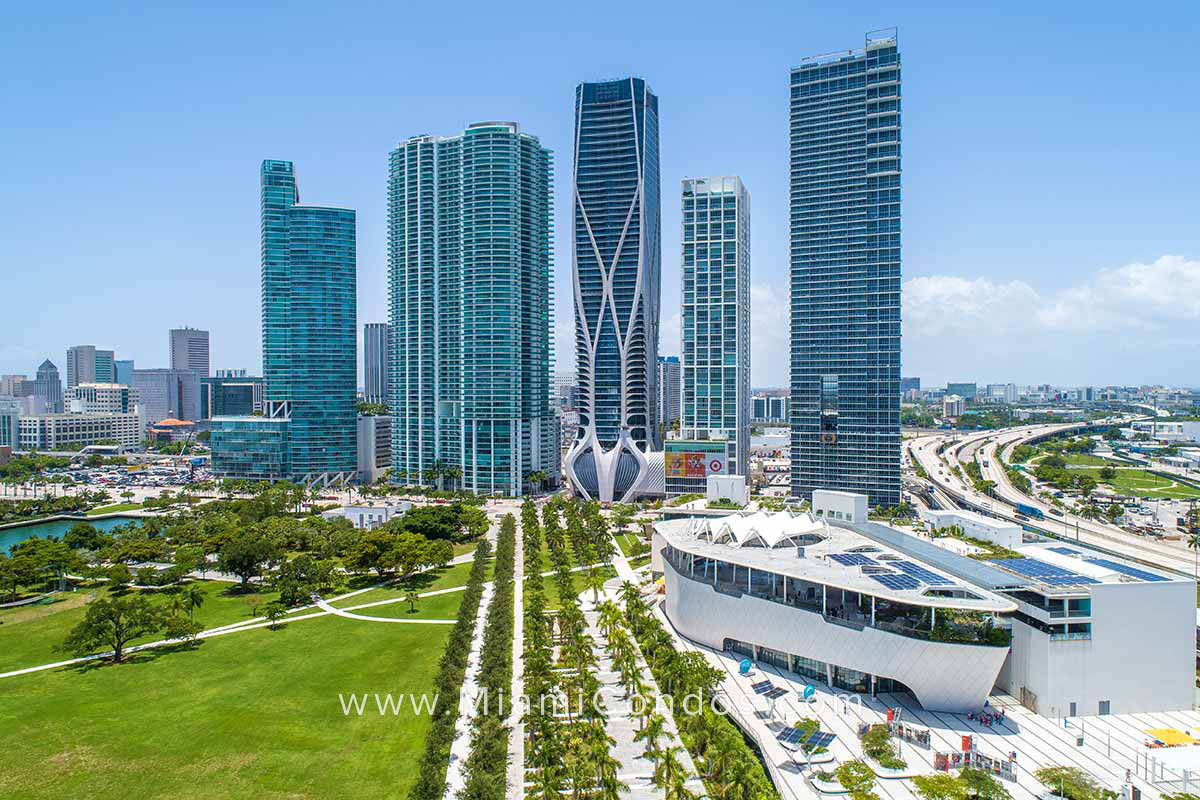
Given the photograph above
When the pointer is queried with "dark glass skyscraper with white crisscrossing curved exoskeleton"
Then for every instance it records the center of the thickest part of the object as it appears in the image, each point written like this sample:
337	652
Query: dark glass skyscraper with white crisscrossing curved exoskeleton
617	276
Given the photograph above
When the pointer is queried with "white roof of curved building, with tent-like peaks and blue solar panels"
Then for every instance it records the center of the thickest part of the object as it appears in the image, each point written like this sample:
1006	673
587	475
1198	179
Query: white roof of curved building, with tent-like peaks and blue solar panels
808	549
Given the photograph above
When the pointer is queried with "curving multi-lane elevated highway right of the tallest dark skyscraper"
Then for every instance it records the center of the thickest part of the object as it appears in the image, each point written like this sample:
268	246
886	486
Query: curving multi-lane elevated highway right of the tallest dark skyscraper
961	448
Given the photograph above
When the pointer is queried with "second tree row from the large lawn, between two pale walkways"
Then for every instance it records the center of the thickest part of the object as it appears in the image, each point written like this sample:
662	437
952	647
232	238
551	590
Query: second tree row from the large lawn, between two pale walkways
485	768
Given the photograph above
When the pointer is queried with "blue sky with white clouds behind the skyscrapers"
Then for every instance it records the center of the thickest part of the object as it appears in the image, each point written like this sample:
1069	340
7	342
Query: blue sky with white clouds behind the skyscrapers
1051	172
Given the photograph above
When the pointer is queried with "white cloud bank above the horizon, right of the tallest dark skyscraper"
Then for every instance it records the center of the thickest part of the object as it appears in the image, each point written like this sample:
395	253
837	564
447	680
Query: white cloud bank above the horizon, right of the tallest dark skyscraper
1129	324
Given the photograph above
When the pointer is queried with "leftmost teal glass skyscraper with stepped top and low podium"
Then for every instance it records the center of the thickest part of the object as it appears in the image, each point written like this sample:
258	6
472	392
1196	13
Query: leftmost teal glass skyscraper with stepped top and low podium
309	430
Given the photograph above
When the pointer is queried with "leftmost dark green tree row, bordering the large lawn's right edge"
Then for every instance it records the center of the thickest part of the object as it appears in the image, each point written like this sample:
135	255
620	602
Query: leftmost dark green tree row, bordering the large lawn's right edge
431	778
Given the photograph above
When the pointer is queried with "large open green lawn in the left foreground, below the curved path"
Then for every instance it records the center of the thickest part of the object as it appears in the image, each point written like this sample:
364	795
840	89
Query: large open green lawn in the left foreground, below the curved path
245	715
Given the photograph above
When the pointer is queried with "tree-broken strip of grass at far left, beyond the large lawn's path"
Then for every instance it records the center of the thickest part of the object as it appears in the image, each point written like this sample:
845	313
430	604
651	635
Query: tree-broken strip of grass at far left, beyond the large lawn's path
29	635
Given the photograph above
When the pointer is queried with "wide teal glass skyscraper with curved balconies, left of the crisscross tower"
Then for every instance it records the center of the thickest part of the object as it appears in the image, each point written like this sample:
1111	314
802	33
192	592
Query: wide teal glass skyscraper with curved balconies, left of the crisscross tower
470	298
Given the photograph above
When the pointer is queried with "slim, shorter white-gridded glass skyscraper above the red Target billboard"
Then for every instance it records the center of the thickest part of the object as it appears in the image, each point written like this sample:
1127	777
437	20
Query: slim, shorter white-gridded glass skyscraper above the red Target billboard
717	316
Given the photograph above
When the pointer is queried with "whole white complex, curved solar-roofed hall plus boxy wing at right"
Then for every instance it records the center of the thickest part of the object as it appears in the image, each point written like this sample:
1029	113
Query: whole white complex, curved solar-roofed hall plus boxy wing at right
869	609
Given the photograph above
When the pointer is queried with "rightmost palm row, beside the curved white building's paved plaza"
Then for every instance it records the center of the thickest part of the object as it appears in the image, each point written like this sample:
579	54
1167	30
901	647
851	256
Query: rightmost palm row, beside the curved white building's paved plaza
730	768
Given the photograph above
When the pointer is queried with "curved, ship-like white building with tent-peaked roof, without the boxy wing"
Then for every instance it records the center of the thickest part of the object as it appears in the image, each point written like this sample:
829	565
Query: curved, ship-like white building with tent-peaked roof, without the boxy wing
833	605
